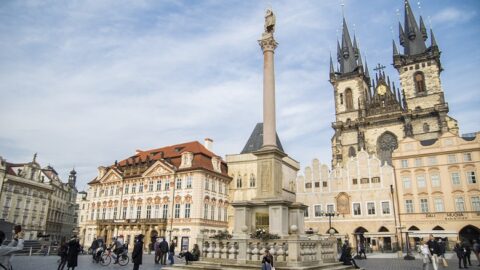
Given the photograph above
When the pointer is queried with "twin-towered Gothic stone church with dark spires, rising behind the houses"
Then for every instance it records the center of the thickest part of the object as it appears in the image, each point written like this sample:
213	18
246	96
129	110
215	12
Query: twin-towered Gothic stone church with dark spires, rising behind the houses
372	113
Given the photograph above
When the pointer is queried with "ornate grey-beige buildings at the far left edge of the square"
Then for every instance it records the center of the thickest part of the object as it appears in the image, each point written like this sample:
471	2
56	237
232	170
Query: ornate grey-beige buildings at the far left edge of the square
36	198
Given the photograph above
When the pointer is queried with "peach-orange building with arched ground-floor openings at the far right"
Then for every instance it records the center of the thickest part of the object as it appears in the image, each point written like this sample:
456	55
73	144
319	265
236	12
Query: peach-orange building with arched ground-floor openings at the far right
438	188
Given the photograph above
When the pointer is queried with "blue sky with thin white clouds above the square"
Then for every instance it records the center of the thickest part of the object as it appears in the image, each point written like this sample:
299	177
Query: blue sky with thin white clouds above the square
85	83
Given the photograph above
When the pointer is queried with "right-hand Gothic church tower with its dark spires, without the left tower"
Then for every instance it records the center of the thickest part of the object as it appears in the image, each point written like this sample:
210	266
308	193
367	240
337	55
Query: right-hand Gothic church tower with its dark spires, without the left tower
419	68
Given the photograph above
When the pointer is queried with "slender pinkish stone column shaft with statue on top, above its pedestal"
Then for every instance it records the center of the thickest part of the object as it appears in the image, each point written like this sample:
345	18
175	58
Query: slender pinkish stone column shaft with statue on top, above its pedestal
268	45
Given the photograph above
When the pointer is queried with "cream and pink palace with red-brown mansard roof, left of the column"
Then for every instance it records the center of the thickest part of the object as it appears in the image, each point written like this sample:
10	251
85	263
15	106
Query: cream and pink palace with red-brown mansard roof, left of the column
176	192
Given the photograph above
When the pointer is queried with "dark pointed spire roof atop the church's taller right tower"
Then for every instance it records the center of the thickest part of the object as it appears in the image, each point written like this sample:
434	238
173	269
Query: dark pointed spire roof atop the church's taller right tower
413	37
